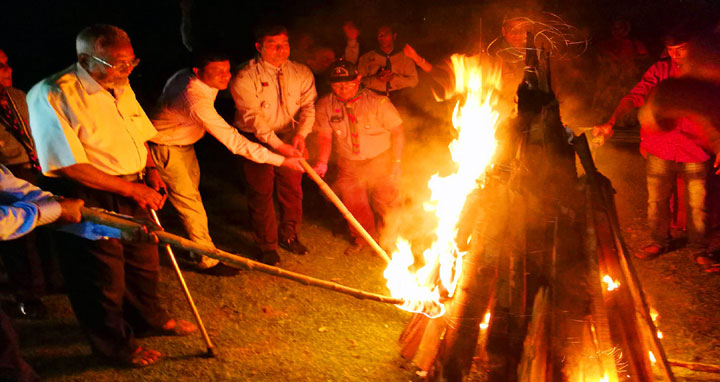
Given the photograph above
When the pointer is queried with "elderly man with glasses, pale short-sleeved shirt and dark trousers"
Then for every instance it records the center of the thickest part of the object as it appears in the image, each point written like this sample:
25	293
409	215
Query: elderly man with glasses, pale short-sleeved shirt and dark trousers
90	134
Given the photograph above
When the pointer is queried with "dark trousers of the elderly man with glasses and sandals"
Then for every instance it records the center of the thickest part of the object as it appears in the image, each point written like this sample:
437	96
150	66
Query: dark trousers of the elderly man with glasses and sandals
112	284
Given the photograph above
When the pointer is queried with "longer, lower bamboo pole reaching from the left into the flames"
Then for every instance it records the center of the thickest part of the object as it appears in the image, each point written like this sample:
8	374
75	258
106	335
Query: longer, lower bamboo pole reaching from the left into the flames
124	224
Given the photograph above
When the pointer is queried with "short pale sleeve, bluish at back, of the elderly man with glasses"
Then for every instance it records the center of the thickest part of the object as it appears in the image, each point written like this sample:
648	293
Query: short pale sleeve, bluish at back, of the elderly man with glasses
56	142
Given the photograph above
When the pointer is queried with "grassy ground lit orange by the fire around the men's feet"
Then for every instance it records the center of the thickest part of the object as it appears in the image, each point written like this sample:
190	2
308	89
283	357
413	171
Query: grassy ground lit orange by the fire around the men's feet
270	329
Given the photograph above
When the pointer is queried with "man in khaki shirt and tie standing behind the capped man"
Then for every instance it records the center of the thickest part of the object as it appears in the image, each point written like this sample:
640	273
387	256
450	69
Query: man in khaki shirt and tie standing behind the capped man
386	70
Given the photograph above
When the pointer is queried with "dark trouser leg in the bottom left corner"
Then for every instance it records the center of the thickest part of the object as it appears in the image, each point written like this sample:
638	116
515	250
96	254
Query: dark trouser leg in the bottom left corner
12	366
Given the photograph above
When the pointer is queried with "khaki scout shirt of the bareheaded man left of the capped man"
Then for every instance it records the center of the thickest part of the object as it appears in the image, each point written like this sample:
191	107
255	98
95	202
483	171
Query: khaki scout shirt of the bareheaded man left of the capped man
265	105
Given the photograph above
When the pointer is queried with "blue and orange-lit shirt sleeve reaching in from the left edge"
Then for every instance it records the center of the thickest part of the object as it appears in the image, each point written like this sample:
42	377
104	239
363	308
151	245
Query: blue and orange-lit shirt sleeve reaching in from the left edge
24	206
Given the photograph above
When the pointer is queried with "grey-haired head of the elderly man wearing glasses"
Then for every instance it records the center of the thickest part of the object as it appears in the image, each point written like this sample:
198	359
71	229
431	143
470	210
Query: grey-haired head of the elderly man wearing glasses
106	53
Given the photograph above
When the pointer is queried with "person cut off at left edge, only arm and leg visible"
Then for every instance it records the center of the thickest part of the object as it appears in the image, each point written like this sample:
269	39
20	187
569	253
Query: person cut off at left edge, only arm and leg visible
25	207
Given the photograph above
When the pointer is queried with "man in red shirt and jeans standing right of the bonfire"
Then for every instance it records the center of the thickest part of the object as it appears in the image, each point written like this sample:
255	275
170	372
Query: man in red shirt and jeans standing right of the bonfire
675	151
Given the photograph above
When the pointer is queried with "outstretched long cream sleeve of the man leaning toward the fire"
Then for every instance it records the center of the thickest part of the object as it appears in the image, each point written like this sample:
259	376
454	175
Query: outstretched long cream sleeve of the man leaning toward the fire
205	113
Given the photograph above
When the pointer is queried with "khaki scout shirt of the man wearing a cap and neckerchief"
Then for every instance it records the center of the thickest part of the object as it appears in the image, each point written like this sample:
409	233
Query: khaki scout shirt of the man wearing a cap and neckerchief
376	119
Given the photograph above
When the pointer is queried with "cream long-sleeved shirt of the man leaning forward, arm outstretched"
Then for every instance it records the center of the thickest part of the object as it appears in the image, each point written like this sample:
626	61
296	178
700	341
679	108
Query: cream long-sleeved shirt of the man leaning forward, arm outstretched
186	110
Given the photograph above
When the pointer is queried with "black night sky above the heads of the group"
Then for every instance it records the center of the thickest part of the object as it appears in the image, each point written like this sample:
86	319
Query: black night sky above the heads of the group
38	36
